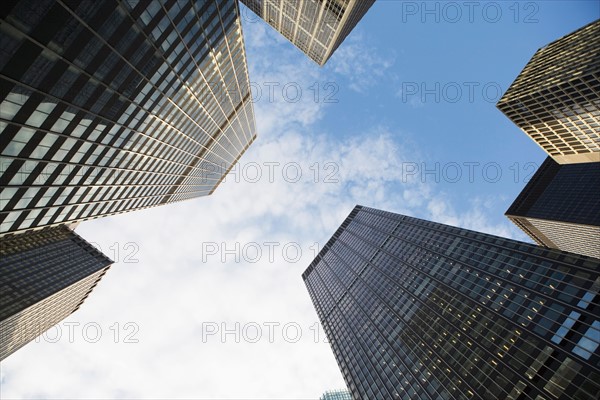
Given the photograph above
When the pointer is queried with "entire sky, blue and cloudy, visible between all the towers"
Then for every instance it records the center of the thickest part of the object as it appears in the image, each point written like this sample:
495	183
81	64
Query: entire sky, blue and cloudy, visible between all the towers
206	300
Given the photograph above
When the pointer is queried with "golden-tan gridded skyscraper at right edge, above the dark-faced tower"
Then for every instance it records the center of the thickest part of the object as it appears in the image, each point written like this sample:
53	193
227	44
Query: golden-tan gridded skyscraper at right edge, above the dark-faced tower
556	98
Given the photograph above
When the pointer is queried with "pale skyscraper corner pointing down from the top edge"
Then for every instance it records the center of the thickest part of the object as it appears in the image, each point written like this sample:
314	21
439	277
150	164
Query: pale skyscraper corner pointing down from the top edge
316	27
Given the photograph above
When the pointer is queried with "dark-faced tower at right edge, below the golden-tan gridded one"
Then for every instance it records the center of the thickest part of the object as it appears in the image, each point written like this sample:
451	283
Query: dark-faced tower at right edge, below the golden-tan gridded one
560	207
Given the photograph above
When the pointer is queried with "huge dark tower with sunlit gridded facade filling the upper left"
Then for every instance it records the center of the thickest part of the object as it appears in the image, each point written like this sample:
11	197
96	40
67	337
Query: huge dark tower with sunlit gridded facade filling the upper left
113	106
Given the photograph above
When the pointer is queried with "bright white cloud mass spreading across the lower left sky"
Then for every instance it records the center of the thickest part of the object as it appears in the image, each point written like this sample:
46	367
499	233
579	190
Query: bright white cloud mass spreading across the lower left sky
171	294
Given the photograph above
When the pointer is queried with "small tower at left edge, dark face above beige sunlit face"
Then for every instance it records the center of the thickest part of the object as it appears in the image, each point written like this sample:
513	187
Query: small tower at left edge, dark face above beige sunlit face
45	275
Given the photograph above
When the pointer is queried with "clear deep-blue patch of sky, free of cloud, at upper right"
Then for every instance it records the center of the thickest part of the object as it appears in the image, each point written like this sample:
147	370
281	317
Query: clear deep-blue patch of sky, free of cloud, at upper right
429	48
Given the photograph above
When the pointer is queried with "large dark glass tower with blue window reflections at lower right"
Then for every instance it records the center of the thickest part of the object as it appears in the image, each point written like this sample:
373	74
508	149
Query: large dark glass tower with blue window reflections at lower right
419	310
